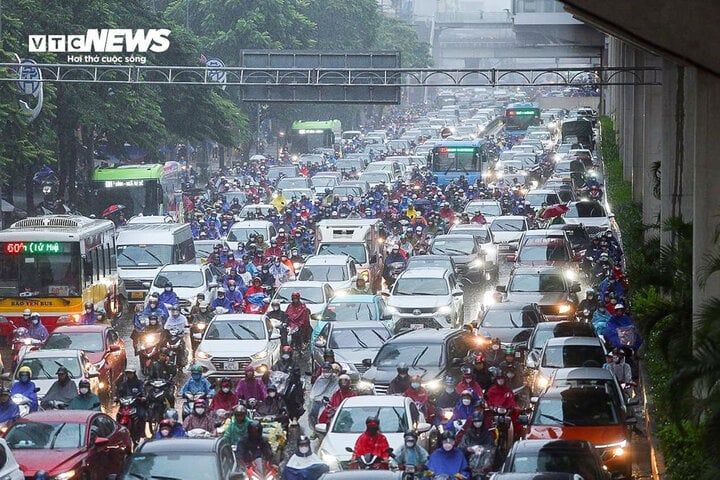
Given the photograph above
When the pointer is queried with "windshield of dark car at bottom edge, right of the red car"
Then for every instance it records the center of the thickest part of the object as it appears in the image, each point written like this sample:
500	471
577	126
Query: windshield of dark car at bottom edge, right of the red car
170	465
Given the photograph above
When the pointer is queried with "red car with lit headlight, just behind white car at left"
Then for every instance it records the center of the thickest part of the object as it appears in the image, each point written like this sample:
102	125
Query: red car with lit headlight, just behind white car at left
101	343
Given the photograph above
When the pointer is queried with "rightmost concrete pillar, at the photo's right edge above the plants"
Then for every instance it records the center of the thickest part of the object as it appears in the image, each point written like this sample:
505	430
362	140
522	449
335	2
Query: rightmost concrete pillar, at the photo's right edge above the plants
706	200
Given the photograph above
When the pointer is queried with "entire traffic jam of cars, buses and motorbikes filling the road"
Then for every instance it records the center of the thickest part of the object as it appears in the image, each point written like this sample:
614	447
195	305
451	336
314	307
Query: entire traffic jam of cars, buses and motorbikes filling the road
440	293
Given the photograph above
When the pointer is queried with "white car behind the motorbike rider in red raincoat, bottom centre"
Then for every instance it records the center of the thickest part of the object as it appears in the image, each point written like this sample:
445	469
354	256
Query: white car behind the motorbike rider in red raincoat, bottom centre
397	415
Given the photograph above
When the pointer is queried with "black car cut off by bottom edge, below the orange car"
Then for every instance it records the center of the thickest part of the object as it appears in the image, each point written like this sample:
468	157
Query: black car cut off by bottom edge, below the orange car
554	456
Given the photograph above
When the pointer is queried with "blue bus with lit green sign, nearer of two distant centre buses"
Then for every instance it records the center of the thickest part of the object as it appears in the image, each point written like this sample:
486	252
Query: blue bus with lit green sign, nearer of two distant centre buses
450	159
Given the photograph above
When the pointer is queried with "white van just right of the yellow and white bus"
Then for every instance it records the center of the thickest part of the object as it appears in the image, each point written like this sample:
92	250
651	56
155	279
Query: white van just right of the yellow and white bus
144	248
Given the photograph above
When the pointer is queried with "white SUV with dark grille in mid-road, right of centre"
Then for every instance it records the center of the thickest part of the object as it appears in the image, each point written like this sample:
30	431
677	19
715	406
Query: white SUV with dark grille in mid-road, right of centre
427	298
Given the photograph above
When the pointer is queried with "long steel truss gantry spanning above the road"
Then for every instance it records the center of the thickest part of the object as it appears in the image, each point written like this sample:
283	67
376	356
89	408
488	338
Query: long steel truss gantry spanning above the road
336	77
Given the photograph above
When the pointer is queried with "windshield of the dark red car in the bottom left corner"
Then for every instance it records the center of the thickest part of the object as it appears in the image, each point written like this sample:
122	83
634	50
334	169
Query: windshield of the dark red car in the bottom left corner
40	435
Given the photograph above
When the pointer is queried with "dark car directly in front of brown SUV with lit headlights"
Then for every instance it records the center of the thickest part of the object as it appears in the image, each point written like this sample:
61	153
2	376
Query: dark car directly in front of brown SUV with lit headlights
511	322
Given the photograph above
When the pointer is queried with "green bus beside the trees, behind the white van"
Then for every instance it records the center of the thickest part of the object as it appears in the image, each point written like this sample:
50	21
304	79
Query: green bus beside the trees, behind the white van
150	189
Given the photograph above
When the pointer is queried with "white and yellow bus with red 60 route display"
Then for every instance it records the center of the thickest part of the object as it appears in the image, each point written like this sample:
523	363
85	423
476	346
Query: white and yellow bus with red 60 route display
53	265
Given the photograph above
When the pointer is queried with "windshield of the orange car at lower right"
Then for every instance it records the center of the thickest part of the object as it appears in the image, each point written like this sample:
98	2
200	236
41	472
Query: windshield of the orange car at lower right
592	408
